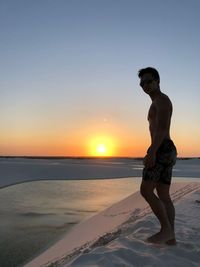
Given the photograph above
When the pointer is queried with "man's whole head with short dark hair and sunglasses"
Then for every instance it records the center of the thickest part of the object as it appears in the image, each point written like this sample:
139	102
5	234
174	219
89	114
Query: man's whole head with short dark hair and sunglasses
149	80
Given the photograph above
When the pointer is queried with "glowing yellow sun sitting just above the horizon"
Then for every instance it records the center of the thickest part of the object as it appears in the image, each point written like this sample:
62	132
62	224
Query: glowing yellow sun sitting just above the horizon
101	146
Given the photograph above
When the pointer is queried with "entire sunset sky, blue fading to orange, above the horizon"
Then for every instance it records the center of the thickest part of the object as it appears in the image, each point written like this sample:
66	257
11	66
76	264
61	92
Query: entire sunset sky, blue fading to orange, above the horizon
68	75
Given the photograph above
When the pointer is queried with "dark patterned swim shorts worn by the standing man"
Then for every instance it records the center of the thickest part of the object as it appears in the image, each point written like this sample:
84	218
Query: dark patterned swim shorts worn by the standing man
165	160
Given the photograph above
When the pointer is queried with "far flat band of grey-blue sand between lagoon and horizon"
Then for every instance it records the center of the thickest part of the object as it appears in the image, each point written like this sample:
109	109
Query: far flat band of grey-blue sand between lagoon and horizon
20	170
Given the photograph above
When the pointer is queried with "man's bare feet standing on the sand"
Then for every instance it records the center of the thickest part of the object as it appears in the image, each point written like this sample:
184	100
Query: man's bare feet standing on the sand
162	237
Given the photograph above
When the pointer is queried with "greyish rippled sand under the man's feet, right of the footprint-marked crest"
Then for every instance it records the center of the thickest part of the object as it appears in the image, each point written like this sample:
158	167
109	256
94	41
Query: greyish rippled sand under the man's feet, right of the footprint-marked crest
127	246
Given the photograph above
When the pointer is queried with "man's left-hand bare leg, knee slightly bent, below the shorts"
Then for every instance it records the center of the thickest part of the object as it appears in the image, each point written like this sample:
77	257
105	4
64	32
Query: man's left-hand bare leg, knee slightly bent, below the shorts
166	233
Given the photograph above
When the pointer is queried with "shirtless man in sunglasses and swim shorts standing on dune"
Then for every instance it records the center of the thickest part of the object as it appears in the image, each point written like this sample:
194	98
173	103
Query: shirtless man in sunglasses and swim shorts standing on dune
160	158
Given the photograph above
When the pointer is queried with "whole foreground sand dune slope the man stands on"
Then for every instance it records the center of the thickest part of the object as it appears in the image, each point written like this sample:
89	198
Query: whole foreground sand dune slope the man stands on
115	237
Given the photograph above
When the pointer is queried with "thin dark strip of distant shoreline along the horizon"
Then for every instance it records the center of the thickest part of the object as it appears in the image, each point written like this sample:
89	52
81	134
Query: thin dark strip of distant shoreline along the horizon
86	157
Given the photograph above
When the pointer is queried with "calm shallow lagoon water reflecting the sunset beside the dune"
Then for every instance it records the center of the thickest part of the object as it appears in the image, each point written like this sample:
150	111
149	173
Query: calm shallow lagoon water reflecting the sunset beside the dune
37	214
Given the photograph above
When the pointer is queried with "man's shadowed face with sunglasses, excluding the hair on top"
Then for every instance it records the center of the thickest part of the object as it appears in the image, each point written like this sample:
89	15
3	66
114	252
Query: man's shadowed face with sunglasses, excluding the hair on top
149	84
